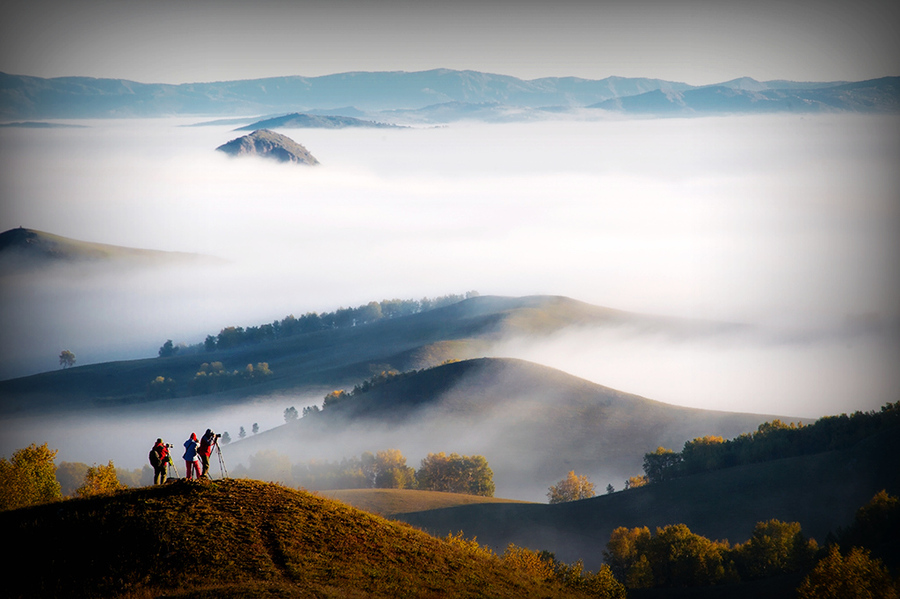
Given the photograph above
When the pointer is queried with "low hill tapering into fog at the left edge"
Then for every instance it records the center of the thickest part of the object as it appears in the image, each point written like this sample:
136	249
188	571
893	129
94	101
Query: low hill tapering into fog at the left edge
23	248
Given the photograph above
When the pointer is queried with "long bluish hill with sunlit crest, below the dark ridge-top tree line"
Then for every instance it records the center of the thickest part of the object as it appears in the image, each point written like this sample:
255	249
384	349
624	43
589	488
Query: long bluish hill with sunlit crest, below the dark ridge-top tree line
321	360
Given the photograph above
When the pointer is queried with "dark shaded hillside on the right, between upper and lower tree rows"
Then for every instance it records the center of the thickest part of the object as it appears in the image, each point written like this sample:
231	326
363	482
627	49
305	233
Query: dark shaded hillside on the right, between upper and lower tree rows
821	492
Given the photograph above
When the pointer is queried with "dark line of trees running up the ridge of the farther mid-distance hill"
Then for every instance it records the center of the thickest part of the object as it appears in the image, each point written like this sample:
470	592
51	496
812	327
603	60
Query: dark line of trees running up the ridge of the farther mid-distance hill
234	336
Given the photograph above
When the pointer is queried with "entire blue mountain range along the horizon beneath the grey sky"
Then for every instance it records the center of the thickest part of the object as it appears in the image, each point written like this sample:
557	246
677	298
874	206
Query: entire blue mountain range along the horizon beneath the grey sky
369	93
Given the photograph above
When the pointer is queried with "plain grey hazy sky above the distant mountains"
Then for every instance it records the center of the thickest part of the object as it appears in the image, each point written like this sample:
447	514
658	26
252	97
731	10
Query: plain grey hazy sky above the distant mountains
695	41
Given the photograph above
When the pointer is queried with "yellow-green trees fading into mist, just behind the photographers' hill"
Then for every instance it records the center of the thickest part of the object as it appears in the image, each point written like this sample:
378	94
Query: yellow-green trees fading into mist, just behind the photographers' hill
386	469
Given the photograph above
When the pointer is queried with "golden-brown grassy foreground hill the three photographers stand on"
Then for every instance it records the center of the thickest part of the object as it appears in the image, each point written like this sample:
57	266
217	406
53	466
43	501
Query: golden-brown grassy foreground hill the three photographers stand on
240	539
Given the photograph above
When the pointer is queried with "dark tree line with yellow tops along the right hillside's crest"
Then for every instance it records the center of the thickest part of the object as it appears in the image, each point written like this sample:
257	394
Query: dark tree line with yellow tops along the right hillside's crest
772	440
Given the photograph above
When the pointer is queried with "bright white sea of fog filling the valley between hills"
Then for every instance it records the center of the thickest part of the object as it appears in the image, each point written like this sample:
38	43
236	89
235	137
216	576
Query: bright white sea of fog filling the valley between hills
788	224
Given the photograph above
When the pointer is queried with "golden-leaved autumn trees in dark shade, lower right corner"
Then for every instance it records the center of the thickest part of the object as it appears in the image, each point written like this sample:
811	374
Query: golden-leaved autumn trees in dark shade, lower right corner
674	557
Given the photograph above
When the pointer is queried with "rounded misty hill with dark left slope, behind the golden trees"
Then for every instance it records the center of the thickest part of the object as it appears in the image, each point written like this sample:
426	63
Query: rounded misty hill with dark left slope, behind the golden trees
531	422
